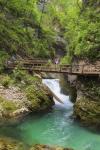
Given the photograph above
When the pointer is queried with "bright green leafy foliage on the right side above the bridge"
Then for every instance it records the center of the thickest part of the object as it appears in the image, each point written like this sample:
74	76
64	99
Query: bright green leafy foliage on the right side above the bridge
83	31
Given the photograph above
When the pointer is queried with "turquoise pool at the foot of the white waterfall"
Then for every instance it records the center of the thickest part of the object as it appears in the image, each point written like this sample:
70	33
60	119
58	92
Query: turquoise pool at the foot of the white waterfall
56	128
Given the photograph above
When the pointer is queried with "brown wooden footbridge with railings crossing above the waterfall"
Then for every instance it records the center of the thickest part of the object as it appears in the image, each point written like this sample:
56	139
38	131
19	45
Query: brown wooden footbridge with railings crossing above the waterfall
44	66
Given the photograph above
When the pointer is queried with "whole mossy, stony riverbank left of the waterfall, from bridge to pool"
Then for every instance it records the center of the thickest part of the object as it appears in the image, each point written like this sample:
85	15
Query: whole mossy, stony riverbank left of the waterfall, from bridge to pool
21	94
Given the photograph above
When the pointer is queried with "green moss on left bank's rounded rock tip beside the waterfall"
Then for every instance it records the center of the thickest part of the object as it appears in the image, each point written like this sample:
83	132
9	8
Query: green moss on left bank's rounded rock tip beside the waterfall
38	98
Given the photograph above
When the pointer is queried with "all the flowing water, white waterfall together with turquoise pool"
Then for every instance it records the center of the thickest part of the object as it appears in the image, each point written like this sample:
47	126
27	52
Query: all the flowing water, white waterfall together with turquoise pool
56	127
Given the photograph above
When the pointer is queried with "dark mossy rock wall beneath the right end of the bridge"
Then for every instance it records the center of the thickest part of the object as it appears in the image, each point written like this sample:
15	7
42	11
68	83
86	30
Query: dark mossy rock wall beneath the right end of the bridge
87	103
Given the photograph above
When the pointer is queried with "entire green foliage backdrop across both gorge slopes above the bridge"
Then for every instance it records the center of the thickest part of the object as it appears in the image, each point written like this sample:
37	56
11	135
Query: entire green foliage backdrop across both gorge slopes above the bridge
24	31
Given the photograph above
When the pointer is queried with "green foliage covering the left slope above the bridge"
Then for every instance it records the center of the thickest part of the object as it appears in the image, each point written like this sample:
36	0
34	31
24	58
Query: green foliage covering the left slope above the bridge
22	32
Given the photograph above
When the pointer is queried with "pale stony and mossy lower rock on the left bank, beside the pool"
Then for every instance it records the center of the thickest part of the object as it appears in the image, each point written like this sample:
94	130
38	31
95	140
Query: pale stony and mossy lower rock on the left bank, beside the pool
16	103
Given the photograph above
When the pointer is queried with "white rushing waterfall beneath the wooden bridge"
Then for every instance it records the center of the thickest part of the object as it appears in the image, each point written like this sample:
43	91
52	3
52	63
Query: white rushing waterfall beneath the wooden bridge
54	86
